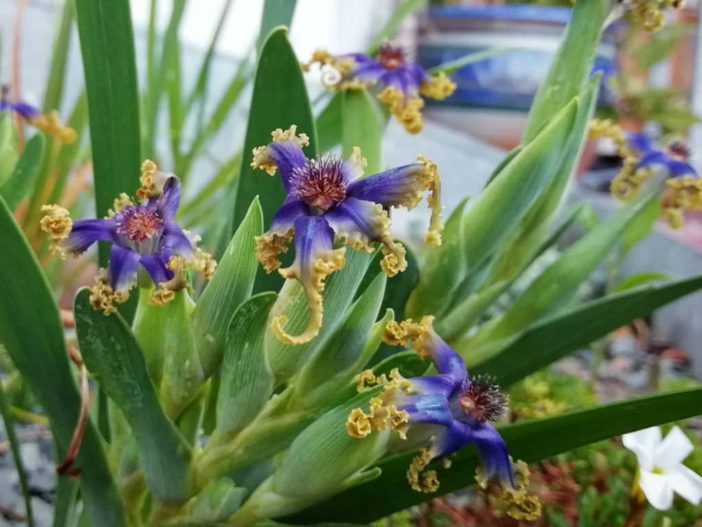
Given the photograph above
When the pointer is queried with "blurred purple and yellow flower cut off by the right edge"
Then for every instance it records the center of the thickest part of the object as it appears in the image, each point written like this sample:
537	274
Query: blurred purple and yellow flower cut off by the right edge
642	159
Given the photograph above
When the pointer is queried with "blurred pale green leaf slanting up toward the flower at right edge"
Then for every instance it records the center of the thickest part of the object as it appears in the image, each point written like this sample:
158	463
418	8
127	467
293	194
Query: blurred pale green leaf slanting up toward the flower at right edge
558	283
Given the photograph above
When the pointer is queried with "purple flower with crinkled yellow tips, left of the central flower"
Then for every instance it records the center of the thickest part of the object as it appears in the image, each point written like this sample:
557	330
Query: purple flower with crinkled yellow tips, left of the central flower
144	237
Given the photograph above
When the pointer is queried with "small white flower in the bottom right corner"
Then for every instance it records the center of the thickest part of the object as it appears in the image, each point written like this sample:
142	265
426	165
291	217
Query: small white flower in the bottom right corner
661	468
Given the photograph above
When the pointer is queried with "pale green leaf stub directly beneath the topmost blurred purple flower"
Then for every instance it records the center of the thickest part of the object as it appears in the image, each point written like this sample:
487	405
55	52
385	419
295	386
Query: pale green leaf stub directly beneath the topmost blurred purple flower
363	124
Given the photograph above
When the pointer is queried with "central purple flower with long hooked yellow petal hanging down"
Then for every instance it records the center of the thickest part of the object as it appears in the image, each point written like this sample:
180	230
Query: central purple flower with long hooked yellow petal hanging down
329	200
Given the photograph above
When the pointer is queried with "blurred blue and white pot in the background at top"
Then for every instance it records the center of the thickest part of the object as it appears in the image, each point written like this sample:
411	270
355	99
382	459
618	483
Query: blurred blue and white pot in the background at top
508	80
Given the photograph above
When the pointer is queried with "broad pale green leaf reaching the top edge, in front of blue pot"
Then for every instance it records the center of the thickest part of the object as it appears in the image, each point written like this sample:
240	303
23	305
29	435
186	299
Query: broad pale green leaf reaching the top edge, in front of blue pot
571	66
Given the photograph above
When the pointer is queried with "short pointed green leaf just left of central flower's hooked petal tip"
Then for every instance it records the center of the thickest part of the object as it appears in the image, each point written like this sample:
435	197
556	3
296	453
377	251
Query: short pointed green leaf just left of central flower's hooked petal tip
247	380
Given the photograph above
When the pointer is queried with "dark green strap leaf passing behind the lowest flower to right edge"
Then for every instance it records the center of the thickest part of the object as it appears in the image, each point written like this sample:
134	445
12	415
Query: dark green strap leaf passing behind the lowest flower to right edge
529	441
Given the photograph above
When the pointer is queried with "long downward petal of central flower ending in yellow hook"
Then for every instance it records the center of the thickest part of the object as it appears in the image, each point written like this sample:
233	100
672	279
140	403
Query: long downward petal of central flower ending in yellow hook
315	259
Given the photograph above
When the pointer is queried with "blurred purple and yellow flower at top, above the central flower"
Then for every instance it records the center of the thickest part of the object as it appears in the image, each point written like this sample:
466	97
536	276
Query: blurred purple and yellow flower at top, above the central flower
400	83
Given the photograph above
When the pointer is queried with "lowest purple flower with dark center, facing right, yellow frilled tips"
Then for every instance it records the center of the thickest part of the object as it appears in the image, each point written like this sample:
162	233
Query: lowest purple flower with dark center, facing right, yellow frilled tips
442	412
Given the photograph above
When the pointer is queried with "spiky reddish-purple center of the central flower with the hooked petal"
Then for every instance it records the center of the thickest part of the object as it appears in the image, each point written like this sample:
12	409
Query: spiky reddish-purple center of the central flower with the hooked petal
320	183
